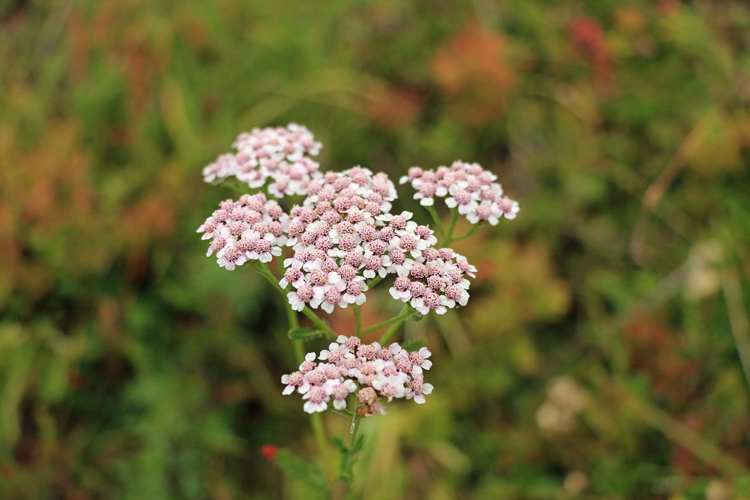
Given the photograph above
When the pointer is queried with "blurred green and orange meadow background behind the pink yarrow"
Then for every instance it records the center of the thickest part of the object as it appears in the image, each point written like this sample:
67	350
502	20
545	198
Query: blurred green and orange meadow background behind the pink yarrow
600	356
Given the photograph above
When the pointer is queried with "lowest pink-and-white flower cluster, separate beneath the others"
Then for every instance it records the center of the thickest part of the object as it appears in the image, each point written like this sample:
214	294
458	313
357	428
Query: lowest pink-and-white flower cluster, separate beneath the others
375	374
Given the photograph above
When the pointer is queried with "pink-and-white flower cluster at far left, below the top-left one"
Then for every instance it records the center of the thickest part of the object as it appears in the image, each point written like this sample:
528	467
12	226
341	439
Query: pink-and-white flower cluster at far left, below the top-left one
252	228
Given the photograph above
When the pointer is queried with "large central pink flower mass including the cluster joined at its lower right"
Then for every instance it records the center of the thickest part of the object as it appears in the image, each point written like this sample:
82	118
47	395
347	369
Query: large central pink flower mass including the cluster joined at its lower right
344	235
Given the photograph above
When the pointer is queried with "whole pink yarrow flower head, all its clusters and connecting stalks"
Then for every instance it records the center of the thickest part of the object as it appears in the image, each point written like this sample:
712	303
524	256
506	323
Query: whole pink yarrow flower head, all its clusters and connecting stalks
340	241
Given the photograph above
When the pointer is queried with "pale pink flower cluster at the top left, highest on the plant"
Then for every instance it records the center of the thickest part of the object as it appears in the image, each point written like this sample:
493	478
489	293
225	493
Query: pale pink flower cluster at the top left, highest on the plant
281	154
